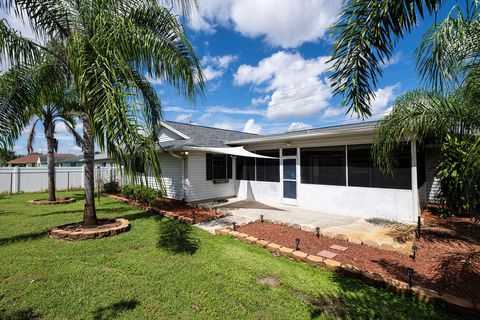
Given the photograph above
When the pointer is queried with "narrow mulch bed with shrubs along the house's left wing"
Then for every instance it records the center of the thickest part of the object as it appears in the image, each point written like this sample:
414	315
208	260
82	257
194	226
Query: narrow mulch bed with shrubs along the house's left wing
177	209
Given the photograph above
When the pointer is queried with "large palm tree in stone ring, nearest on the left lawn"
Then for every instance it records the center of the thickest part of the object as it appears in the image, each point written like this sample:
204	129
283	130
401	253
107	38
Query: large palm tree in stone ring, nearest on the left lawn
108	47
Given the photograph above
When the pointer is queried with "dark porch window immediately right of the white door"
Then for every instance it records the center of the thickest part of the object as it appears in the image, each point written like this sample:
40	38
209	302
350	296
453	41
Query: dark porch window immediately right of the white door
324	165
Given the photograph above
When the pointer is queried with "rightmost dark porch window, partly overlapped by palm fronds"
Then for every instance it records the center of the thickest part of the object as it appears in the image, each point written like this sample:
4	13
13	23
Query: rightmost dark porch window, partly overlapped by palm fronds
363	173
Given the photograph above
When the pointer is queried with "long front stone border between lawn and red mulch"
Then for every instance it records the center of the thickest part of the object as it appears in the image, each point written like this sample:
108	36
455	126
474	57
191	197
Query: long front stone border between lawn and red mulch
371	278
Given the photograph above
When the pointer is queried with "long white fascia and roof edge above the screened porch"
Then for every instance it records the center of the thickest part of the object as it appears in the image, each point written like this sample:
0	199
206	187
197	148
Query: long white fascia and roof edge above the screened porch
310	133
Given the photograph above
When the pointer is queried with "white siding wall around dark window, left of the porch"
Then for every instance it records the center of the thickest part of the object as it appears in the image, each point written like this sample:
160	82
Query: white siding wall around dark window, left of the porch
197	185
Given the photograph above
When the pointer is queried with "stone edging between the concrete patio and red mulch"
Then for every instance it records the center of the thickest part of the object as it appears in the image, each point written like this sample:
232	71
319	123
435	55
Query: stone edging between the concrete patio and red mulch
338	236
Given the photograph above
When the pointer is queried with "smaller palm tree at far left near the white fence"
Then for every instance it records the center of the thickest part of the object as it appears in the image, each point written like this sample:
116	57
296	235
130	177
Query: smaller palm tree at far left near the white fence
45	100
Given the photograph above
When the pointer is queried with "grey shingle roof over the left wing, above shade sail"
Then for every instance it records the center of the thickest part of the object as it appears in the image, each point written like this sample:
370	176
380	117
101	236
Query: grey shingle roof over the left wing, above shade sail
201	136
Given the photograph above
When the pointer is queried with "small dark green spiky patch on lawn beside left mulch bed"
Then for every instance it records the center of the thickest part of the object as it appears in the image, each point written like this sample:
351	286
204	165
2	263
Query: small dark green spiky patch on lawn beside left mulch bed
177	237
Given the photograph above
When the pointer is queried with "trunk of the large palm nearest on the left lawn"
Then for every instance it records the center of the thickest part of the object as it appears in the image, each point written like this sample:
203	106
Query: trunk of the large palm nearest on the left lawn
89	214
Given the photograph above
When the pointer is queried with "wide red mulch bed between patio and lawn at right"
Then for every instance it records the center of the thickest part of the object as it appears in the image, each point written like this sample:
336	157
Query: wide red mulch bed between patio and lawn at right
443	263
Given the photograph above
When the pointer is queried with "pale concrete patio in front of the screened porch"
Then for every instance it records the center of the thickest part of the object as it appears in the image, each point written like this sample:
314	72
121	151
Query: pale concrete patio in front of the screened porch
377	230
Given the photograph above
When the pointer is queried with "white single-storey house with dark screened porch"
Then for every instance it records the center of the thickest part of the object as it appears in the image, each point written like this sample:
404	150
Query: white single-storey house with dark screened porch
326	169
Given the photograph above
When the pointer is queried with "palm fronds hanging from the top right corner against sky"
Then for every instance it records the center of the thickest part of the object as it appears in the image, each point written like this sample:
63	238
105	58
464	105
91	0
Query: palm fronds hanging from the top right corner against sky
368	30
